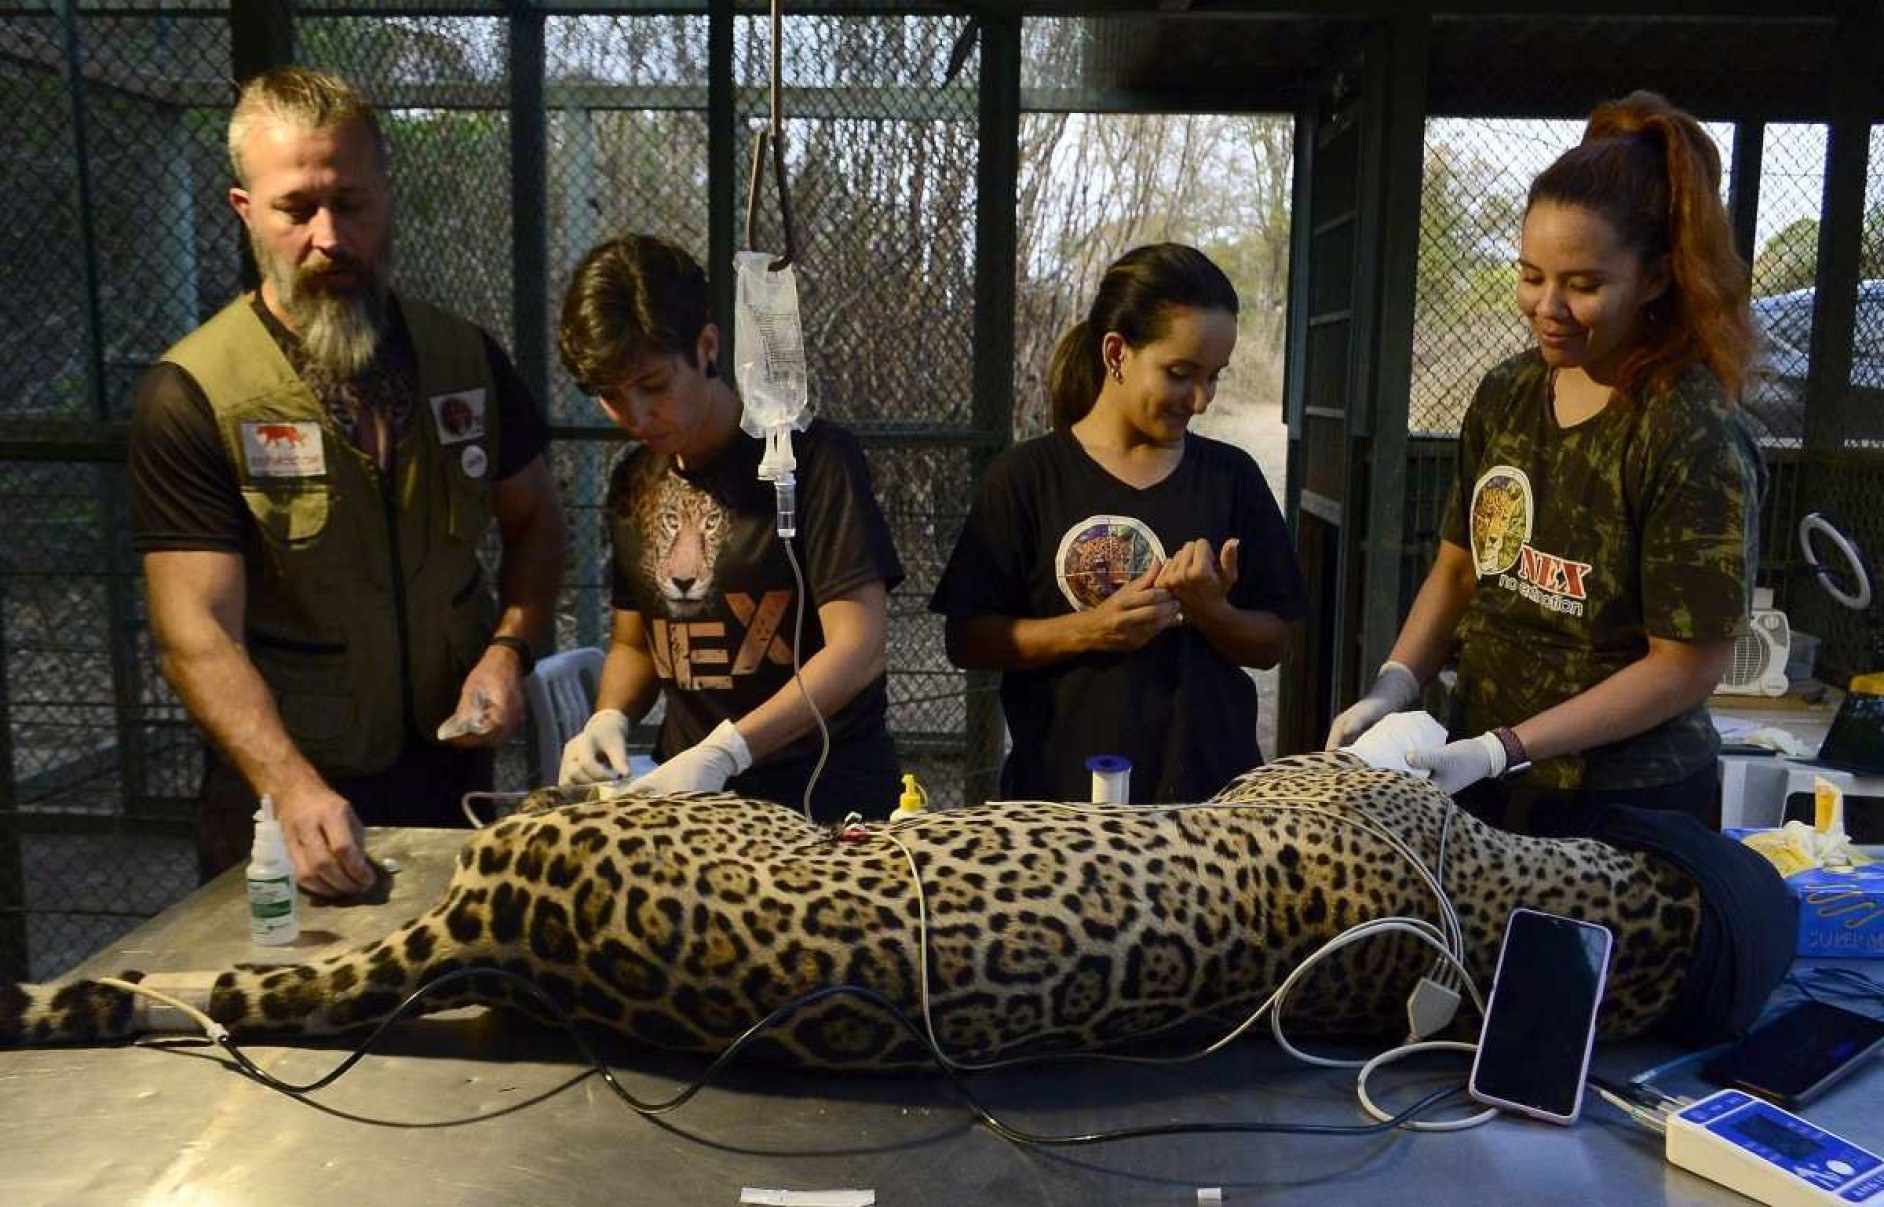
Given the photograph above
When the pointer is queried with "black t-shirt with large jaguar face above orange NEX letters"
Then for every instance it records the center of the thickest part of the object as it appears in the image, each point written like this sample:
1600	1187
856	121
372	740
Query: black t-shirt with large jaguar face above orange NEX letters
698	556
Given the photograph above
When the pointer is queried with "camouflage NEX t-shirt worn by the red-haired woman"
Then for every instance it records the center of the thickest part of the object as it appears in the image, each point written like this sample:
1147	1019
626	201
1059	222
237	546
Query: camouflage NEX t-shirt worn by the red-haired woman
1591	539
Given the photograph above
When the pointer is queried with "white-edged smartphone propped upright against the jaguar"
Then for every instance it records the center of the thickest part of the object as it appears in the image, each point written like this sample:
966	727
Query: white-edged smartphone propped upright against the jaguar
1540	1022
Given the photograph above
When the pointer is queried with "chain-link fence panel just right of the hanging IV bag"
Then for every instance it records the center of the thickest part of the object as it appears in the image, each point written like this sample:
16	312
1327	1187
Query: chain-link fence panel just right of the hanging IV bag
881	159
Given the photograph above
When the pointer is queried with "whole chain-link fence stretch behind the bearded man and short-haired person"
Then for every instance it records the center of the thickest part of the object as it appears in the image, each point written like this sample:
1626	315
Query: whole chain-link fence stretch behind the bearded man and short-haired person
122	153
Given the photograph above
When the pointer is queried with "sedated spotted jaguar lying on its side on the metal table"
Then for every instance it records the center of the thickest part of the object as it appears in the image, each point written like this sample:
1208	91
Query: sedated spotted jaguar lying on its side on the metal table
1009	929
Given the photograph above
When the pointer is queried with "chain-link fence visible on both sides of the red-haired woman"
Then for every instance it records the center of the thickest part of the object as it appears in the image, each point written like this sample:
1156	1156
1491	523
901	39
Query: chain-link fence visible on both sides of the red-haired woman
1472	202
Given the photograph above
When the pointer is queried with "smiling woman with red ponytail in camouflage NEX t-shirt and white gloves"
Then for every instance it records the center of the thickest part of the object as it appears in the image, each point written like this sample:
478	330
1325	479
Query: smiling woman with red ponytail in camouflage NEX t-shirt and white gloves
1599	556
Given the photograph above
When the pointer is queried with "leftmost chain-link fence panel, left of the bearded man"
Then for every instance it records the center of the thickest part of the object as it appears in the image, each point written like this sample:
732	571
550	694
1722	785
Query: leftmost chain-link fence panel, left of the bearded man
120	246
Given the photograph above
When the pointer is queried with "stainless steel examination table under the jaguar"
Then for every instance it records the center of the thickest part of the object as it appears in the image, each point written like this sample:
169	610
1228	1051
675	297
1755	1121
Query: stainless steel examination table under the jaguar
474	1108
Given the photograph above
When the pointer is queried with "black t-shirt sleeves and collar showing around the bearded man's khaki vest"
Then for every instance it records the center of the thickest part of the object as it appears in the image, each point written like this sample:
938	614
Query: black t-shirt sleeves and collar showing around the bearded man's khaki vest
184	492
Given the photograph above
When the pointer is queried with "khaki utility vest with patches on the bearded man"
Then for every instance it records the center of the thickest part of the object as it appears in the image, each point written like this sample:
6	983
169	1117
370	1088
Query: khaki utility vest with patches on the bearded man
365	598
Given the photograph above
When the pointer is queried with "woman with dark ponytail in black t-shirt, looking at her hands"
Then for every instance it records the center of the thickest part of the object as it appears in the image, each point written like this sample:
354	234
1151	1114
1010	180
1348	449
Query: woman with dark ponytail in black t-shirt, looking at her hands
1122	571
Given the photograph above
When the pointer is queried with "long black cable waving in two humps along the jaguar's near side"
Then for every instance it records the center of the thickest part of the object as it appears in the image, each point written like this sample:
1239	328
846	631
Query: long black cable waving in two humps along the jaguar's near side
773	1020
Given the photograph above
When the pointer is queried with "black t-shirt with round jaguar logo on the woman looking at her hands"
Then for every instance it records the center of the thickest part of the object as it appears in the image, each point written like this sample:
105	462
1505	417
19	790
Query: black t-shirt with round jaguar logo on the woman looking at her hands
1052	532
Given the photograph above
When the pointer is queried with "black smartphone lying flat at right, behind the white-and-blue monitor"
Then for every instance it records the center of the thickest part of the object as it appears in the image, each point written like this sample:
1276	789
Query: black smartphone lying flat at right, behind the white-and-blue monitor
1798	1055
